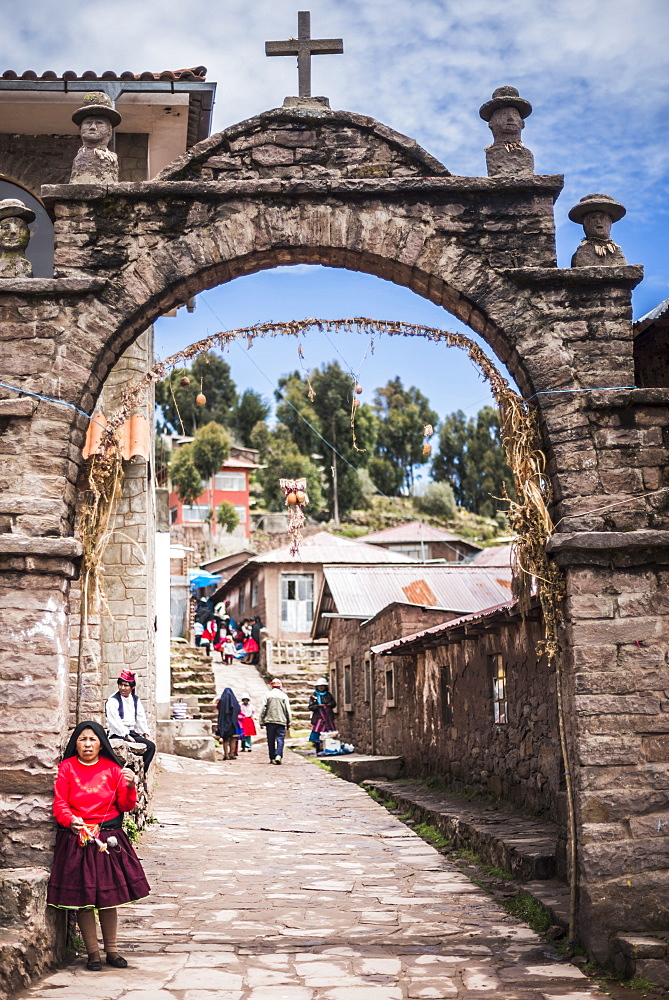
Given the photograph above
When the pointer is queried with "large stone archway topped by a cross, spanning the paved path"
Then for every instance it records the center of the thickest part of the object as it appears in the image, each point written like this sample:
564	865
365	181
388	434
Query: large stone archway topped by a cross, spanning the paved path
315	186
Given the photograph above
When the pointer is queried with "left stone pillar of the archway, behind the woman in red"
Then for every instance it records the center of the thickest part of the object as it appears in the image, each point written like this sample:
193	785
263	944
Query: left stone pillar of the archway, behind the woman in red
34	579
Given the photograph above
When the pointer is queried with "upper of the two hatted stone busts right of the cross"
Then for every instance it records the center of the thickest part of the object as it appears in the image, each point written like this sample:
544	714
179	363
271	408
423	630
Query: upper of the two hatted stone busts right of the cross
505	115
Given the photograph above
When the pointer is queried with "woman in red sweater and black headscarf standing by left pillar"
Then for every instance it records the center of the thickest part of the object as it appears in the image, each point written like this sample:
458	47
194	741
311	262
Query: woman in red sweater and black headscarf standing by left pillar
91	793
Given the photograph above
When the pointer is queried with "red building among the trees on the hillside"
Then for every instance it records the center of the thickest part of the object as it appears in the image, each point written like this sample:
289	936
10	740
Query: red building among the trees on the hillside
230	484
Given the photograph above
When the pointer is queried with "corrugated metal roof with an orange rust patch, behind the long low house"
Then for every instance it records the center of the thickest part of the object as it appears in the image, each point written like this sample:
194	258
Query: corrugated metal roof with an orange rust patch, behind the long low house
366	590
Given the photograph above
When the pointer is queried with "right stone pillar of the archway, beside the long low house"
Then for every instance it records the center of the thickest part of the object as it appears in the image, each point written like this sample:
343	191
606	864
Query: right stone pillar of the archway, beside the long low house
617	670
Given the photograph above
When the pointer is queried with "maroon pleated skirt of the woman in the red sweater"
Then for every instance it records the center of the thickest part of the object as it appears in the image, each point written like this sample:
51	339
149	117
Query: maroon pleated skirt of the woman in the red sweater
87	876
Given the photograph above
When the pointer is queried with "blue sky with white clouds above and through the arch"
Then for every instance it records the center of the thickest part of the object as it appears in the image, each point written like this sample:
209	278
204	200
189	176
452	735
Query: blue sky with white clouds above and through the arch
594	70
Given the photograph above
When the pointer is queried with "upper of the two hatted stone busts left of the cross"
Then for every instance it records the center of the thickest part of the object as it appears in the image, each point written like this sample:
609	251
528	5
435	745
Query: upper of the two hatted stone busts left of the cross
95	163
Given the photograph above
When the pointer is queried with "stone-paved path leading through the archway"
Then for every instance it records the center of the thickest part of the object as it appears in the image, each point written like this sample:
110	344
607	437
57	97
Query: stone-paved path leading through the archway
285	883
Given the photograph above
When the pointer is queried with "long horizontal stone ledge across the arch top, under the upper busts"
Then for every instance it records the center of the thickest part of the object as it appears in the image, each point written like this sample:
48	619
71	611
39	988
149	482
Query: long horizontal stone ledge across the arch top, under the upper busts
351	187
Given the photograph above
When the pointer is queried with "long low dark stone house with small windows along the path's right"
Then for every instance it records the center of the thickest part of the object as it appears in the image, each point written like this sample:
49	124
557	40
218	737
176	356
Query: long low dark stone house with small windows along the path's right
468	699
